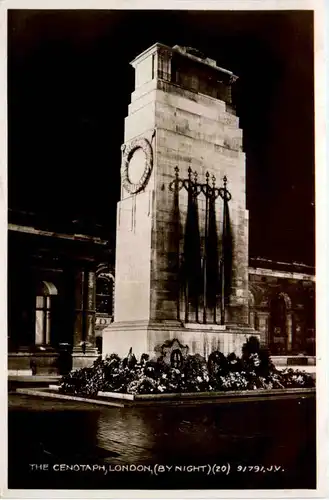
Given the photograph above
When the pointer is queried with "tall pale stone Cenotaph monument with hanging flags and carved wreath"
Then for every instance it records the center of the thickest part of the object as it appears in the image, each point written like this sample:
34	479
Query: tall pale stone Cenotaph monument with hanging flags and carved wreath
182	223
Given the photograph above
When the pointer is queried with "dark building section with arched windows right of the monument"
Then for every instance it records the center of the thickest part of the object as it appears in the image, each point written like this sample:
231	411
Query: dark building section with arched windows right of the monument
282	306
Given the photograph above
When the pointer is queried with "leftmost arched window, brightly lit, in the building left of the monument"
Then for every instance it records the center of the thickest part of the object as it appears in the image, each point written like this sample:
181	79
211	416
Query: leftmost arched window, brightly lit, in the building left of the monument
45	291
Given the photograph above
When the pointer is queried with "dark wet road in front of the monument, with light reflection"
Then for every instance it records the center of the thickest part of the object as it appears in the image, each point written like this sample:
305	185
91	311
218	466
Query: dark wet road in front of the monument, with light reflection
264	434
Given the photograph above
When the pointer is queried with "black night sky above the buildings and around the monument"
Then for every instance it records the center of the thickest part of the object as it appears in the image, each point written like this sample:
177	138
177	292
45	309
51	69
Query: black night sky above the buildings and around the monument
69	86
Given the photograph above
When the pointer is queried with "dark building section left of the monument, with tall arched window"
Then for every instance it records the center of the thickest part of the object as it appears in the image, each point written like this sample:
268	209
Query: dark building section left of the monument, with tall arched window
53	295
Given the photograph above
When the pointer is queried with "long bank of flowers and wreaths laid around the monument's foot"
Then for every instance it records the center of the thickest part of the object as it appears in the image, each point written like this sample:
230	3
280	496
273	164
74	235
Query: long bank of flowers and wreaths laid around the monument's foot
192	373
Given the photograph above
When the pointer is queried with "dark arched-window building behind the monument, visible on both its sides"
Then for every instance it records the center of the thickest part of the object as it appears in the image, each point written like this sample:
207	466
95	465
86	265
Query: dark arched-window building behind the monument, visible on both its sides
61	298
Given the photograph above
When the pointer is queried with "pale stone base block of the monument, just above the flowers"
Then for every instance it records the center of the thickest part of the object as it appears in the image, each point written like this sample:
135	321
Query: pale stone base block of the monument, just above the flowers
148	337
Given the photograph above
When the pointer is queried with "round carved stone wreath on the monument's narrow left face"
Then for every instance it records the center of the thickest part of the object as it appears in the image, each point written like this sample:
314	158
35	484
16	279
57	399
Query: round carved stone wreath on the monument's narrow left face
126	157
